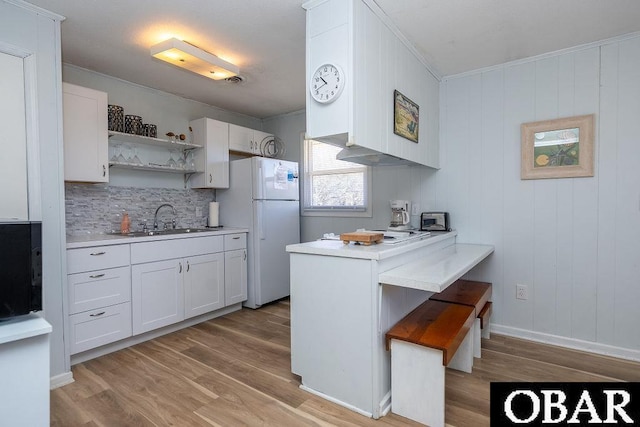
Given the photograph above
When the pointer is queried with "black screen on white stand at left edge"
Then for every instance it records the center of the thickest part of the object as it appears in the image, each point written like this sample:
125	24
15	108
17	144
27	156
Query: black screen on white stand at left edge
20	268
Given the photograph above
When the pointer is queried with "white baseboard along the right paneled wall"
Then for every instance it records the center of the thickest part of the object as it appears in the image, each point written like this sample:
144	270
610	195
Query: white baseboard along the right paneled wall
576	344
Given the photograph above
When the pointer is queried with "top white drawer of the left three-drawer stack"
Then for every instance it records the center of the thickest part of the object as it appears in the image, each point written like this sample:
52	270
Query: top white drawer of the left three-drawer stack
97	258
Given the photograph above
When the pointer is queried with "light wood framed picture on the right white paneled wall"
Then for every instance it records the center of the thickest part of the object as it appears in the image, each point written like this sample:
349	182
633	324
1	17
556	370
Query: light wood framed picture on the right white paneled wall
560	148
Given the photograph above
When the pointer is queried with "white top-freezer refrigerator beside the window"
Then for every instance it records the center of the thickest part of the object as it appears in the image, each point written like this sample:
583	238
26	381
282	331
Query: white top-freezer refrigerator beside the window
263	196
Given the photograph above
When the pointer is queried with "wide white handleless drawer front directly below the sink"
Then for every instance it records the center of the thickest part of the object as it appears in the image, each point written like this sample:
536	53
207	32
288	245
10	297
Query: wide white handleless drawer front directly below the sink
174	248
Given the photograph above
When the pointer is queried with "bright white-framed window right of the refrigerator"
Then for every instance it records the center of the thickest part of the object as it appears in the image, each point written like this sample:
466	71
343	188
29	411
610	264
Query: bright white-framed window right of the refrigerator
334	187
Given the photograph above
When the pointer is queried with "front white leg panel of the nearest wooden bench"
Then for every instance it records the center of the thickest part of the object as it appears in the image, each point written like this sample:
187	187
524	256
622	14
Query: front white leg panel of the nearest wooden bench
417	383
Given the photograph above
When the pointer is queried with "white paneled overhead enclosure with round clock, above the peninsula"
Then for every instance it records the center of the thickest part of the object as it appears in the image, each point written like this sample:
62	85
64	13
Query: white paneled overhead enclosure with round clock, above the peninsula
375	62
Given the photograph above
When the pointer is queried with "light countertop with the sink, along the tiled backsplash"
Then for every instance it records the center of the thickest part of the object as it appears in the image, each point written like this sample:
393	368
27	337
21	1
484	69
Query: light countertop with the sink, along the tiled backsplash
103	239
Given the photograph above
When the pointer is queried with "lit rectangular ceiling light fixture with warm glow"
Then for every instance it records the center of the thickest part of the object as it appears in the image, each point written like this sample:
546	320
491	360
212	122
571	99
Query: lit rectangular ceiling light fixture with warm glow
187	56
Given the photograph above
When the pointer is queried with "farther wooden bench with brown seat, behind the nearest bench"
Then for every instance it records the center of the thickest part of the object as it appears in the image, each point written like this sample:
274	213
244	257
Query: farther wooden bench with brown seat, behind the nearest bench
472	294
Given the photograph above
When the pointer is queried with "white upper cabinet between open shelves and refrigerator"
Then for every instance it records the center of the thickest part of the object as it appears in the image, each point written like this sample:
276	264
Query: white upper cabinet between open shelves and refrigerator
213	158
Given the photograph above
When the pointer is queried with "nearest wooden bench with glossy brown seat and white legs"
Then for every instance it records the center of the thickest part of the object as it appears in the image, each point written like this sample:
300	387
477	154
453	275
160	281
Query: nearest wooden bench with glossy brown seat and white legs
434	335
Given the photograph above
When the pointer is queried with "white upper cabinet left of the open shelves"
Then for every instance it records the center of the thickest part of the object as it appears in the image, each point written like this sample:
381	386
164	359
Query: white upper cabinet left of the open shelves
86	143
